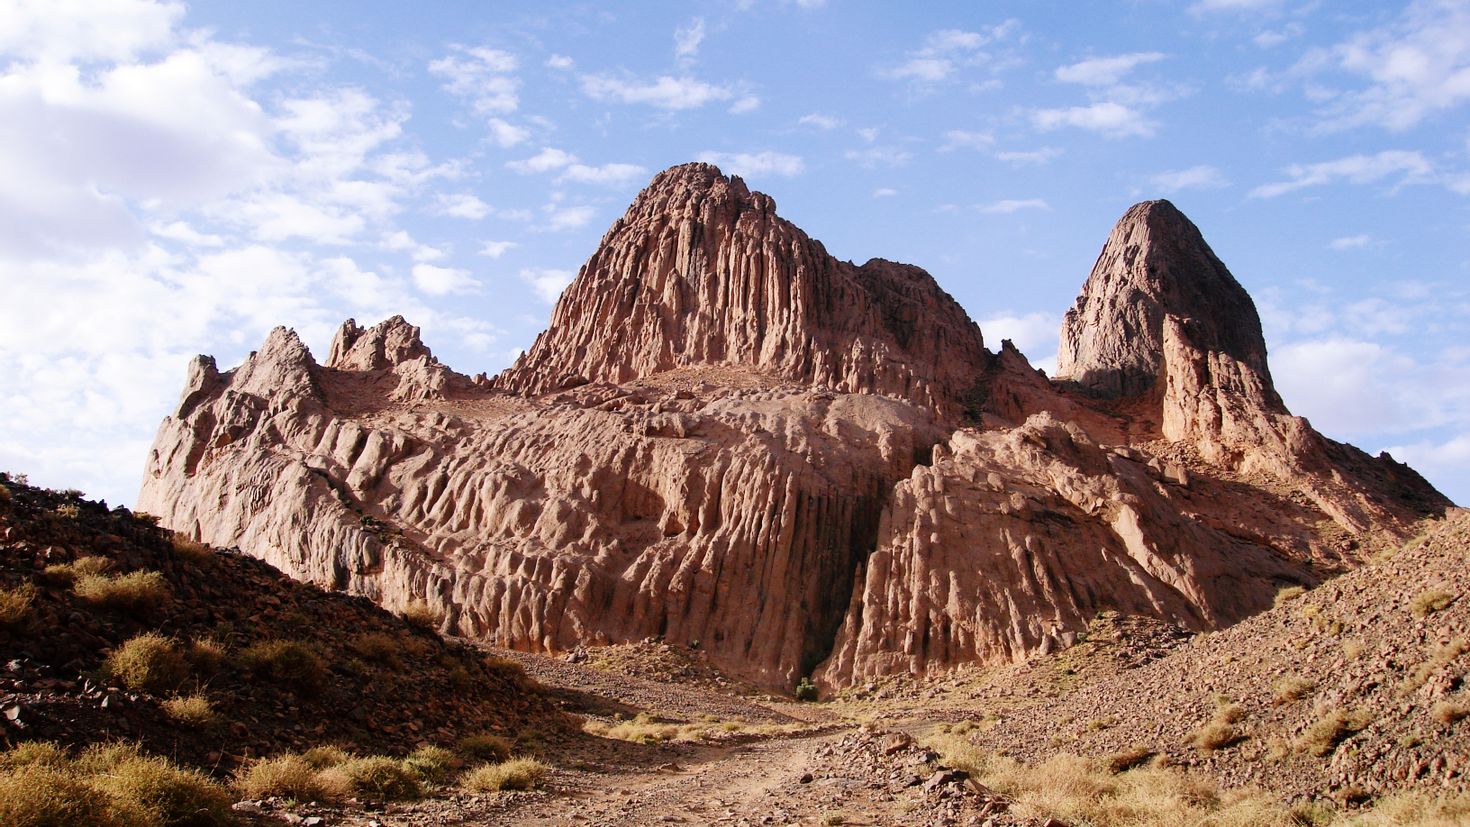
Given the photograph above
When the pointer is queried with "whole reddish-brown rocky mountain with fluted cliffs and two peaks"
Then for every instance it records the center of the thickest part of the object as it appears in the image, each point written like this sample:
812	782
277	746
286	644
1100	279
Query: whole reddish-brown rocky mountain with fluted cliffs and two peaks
806	466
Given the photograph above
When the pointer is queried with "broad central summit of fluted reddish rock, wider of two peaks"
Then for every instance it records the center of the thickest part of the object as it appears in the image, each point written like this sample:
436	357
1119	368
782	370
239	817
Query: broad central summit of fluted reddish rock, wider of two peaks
703	272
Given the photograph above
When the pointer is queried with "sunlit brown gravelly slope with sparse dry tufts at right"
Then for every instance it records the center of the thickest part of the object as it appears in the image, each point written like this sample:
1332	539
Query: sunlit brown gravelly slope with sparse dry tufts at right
1383	647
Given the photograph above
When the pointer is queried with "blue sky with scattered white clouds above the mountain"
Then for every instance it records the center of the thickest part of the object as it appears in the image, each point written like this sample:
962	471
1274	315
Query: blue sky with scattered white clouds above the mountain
180	178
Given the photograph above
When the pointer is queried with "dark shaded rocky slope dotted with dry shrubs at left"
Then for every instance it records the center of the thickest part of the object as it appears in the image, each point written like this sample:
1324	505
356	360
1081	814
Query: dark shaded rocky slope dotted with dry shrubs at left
368	681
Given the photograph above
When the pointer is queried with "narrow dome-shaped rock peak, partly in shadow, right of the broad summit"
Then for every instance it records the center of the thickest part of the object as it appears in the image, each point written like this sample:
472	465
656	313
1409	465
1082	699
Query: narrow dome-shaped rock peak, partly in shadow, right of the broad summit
1156	265
